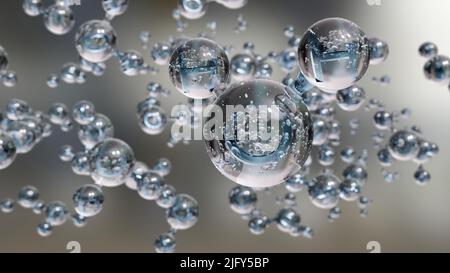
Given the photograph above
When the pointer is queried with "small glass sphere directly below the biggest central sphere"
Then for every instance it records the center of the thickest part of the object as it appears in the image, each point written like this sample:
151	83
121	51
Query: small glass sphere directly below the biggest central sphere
242	200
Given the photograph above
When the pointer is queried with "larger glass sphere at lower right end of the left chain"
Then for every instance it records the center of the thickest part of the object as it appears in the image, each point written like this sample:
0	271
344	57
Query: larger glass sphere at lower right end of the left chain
184	213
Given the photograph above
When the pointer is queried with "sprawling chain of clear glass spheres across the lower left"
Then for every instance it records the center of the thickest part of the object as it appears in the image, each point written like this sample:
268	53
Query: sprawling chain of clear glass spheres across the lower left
110	162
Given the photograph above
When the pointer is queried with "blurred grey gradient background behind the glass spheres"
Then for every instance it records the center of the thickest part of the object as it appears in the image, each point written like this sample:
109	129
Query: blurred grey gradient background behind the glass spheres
404	217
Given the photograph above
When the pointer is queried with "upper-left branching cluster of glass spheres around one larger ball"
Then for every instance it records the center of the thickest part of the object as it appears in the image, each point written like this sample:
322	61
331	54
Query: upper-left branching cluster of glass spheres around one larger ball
96	43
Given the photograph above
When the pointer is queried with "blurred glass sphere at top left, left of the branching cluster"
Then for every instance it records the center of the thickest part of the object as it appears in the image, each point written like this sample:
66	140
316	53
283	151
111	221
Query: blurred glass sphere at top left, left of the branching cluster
59	20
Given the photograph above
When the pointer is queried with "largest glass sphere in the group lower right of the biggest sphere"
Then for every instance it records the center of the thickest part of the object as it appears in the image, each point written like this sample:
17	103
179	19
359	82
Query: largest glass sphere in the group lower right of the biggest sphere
324	192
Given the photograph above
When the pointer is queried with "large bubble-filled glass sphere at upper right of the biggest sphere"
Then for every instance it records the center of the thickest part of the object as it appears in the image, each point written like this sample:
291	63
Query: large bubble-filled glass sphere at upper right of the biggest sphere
334	54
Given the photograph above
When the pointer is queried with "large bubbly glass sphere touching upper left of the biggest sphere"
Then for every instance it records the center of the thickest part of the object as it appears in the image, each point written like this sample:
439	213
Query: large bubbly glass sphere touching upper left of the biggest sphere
198	68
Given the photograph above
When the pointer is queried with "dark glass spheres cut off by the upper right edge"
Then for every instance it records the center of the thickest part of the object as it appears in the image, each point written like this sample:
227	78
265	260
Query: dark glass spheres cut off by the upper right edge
437	67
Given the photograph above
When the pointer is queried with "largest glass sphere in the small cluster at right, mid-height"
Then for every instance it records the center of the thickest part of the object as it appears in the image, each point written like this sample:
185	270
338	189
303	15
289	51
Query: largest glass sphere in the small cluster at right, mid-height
404	145
